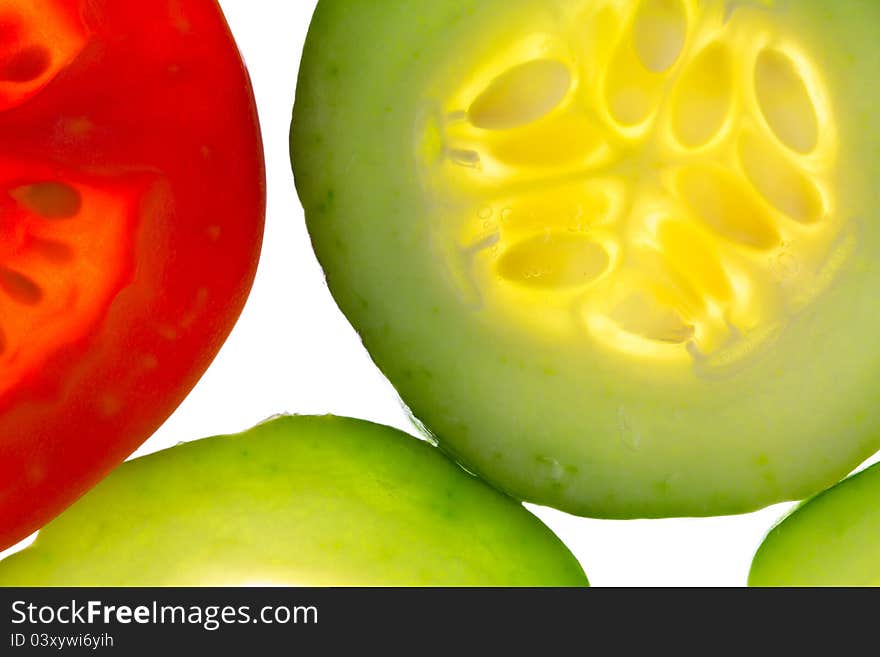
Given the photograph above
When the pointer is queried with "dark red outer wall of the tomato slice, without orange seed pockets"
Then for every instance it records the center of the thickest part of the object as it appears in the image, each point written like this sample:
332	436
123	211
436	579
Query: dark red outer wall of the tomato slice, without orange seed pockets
159	99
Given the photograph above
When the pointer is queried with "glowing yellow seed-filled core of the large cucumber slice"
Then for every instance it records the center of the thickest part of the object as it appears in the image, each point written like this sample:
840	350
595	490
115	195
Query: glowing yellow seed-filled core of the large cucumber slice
654	175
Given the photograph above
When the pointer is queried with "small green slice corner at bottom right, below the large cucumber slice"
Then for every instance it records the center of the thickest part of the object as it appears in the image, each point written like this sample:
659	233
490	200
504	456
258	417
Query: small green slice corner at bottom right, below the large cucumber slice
832	540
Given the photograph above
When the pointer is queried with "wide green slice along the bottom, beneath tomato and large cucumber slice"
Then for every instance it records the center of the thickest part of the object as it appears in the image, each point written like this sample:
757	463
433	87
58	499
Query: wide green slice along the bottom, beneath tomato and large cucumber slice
311	501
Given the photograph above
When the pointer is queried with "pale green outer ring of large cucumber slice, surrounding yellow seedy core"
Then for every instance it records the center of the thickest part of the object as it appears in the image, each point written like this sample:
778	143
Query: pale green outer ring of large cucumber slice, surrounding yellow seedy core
558	419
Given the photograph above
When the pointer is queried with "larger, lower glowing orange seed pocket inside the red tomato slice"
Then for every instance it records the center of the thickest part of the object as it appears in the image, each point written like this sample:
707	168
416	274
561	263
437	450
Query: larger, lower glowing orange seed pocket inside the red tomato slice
66	253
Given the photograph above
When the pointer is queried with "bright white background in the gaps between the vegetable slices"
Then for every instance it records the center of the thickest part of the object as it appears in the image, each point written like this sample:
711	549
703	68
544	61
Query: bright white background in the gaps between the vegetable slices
293	351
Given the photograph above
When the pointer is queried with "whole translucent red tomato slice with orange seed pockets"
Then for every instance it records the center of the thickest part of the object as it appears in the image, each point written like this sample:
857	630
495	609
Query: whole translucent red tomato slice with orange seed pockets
132	198
